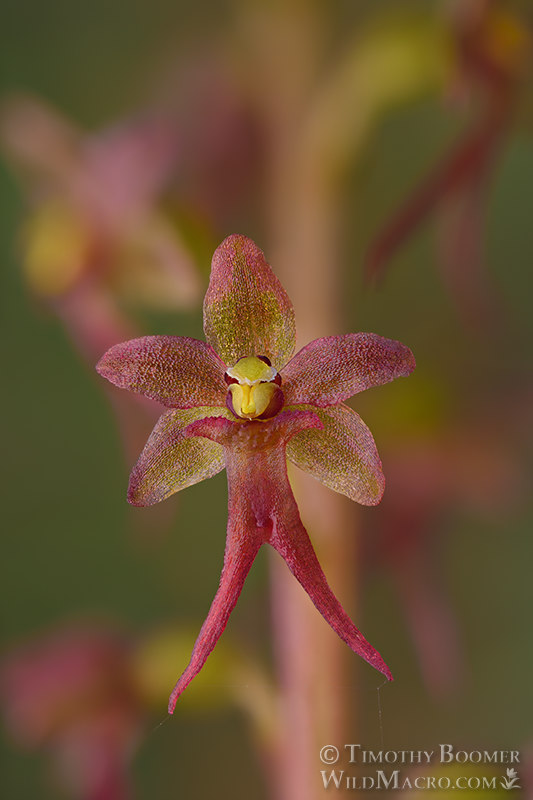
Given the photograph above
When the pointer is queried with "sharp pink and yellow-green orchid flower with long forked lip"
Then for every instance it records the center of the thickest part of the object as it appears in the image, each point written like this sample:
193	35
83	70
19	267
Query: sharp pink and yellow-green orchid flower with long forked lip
241	402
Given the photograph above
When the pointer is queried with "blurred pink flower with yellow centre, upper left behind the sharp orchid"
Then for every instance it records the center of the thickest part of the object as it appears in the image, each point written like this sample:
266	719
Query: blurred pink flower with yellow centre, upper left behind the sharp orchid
94	240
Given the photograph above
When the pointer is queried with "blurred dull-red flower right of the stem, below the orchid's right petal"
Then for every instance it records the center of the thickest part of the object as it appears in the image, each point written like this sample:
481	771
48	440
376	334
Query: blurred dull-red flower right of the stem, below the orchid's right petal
466	465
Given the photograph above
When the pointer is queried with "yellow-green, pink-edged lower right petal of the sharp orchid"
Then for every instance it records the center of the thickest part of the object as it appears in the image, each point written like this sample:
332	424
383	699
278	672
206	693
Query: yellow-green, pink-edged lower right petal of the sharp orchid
343	455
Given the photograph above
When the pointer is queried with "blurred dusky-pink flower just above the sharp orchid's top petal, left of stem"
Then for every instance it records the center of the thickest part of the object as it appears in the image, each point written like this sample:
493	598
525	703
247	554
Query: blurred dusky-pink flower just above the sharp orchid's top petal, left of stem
220	170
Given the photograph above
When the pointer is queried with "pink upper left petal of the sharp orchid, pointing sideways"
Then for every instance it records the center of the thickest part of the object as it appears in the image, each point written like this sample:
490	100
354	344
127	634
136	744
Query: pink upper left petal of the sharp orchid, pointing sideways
174	370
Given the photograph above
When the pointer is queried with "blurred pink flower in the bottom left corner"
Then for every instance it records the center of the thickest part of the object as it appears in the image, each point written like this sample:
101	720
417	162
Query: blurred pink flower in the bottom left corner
71	693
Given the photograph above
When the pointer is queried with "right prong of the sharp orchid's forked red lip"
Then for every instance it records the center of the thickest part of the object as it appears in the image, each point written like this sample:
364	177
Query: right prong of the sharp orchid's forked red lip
292	542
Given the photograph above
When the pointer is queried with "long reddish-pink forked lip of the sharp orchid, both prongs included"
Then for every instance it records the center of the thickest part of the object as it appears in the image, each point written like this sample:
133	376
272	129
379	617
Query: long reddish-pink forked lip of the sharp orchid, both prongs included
262	509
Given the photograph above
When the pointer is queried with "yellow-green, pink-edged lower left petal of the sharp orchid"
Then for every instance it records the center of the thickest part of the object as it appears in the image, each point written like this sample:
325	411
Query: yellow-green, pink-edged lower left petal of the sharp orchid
171	460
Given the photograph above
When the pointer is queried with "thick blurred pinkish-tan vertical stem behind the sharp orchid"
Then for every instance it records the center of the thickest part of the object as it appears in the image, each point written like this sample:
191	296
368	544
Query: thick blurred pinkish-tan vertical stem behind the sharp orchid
302	215
